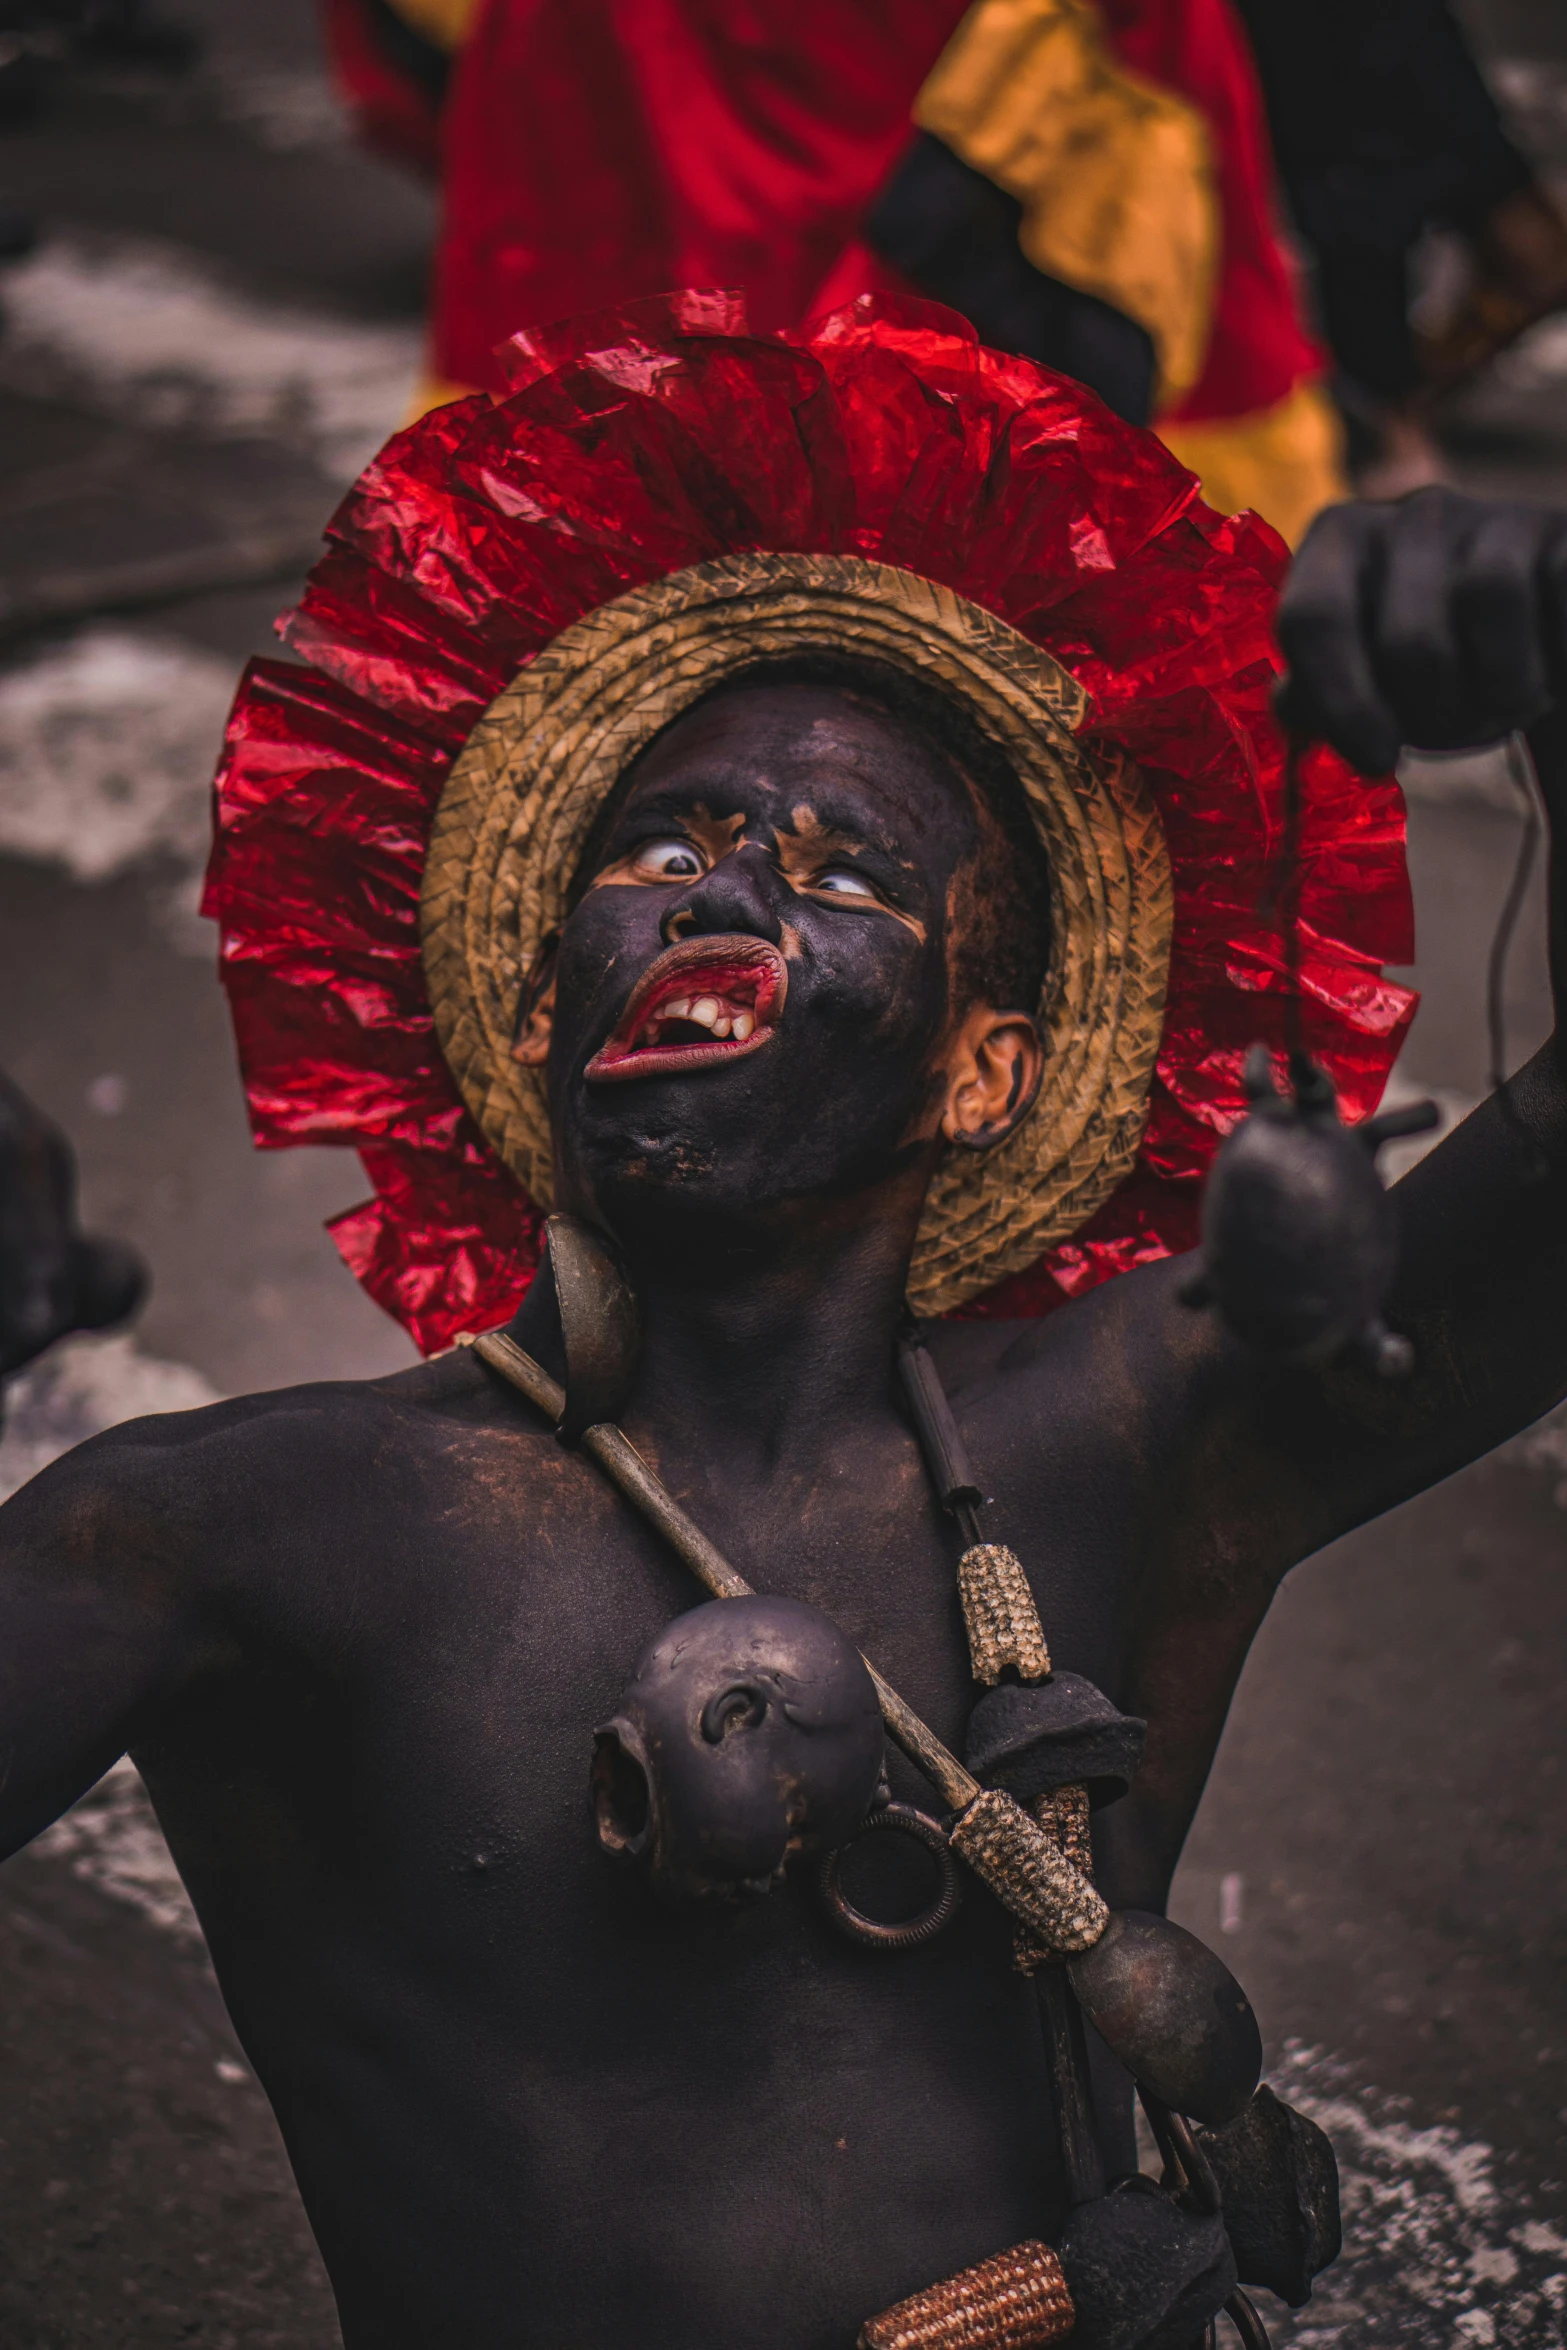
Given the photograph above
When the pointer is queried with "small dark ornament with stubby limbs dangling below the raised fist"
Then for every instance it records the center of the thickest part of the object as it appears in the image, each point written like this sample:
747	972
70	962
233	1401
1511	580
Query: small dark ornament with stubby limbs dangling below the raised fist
1300	1240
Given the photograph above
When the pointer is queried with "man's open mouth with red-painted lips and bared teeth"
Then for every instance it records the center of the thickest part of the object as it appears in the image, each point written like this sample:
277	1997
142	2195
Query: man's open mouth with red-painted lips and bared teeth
706	1002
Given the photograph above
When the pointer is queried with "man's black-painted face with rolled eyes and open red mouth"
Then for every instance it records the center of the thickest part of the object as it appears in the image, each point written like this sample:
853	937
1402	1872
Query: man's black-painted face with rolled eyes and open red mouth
753	991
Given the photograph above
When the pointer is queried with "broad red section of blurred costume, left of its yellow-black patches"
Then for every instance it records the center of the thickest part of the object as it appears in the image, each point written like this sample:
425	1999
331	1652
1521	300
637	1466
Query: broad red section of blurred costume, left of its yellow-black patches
610	149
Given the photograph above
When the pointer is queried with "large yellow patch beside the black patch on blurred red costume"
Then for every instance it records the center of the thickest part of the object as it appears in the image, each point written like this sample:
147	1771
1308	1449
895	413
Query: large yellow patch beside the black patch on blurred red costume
1115	175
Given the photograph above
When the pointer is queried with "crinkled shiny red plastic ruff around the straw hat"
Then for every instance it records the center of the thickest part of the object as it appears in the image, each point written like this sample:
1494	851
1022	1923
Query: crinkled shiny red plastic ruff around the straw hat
633	445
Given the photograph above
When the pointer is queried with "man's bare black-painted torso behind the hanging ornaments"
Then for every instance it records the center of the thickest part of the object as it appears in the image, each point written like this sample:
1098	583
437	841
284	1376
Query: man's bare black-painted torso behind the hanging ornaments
525	2100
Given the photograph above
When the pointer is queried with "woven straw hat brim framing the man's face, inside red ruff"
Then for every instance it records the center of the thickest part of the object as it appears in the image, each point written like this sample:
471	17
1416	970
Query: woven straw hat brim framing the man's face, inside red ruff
539	765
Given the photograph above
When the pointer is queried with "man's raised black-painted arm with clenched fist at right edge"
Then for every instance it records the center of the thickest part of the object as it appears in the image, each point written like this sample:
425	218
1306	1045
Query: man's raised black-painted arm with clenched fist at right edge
1444	624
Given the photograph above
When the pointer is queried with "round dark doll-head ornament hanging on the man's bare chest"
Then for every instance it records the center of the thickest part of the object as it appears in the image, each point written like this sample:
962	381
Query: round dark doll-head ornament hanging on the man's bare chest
751	1733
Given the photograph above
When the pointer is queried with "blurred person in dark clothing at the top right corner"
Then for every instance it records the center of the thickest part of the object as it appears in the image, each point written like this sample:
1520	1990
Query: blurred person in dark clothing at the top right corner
1387	135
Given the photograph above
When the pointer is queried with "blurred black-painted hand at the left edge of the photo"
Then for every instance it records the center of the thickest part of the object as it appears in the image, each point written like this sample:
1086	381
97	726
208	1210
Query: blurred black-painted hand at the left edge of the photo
53	1277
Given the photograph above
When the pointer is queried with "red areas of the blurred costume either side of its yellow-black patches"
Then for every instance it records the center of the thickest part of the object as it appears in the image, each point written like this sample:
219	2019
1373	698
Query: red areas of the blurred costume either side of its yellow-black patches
607	149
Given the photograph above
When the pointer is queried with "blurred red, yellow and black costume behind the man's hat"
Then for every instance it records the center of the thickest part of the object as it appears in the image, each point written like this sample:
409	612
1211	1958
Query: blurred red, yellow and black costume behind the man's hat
1089	184
